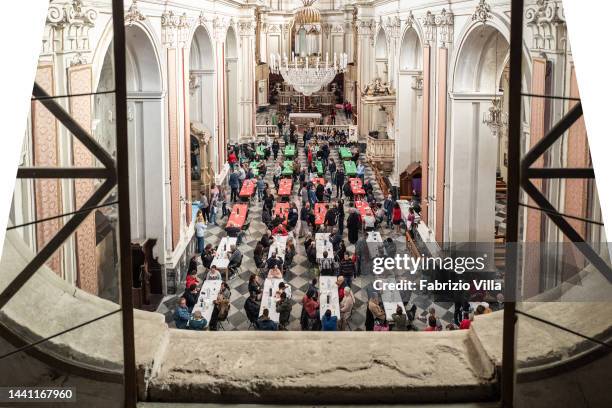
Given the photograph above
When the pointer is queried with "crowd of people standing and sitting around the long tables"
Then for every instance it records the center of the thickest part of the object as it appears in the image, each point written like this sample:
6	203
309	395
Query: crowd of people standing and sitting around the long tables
317	182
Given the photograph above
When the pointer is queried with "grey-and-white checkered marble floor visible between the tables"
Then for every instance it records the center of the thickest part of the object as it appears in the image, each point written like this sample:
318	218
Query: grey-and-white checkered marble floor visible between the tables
300	274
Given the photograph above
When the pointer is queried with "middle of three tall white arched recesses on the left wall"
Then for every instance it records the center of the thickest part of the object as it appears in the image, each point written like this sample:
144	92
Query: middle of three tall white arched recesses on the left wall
202	109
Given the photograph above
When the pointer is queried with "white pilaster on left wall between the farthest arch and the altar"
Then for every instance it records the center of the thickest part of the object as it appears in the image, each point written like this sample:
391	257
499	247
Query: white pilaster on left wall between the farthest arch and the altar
247	79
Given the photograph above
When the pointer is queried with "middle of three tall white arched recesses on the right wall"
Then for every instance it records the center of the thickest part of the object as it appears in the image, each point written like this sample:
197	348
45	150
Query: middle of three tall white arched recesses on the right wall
410	100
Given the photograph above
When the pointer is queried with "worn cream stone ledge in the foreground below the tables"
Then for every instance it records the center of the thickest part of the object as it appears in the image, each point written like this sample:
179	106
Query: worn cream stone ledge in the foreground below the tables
320	367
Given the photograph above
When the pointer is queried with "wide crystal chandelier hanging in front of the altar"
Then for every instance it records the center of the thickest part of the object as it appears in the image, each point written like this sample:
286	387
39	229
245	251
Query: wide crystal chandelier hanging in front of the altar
308	74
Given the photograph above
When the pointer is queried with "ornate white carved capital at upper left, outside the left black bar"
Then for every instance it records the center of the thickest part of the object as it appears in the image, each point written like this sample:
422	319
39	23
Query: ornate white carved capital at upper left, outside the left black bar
68	26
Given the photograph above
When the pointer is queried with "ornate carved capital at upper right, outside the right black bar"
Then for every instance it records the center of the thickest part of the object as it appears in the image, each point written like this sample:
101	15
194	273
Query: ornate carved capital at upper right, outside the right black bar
546	21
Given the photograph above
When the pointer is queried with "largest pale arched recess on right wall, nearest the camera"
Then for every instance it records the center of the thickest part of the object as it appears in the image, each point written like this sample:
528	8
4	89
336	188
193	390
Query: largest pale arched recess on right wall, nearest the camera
474	151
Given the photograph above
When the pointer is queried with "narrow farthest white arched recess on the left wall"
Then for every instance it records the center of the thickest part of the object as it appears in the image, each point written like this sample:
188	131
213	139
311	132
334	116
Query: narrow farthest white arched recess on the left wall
231	86
